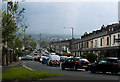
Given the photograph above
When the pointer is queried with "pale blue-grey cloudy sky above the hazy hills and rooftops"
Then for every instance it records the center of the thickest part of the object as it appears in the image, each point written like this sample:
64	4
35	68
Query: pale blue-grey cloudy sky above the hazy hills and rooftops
52	17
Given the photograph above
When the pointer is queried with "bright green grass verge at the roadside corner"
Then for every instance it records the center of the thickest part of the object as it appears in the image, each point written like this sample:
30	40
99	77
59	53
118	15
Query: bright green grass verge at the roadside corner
16	73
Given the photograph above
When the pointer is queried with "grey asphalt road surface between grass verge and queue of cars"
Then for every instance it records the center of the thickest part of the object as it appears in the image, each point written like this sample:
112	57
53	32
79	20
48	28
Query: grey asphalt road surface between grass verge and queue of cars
79	74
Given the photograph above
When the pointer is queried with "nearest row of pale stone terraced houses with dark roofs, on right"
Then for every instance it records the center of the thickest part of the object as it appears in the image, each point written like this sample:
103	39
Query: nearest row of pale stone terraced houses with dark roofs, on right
103	42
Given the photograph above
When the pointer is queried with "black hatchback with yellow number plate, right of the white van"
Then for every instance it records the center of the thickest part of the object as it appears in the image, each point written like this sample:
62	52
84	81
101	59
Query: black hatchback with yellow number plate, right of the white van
75	63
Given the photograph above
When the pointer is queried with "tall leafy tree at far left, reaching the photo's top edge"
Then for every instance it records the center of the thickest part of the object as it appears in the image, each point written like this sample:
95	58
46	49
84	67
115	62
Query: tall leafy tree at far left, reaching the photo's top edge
10	23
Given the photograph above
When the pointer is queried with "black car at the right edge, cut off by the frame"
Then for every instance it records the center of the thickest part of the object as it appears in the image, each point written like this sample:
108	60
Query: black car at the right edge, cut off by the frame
108	64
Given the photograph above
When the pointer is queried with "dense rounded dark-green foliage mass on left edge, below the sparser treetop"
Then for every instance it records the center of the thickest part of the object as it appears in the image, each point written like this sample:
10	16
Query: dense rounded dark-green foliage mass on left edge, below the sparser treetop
8	26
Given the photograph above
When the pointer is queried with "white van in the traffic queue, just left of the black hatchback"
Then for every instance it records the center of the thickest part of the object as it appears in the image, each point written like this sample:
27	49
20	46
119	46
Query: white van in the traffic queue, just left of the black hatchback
54	60
